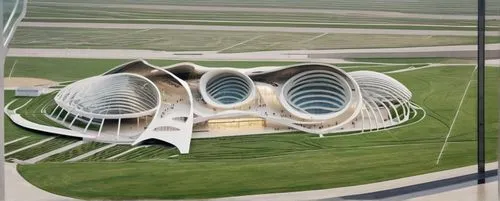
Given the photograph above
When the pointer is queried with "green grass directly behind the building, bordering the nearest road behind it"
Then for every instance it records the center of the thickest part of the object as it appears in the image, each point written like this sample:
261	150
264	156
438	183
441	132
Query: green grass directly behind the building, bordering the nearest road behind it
75	69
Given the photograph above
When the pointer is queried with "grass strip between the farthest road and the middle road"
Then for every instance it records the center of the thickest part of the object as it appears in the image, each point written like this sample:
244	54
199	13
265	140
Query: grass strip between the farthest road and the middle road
80	11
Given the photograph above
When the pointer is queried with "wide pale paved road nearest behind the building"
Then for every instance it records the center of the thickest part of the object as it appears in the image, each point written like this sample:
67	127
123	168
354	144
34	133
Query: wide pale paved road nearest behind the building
332	56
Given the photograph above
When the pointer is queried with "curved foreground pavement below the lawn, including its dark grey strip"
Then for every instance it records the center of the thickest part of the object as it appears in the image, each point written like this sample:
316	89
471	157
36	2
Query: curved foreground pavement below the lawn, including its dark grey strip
431	186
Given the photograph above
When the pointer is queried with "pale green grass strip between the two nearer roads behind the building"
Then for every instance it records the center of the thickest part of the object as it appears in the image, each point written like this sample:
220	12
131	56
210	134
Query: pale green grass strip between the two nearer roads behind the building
194	40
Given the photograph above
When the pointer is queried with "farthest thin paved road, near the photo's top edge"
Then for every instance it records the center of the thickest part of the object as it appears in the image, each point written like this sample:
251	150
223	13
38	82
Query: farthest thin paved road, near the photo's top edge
386	14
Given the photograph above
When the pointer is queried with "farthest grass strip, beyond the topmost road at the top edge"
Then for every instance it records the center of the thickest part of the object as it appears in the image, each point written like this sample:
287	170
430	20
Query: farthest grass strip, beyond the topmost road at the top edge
422	6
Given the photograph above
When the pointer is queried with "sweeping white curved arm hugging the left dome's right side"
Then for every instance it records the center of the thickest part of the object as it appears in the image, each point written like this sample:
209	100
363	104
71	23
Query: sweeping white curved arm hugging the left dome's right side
172	105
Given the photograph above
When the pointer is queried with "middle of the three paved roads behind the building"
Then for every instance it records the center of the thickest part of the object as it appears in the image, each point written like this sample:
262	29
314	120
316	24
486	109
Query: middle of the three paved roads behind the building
254	28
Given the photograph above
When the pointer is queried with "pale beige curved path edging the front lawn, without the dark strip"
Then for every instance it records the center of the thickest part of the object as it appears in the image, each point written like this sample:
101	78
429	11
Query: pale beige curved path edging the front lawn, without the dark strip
19	189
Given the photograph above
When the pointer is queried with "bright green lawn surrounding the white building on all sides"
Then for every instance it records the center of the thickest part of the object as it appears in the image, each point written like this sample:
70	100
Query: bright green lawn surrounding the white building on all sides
270	163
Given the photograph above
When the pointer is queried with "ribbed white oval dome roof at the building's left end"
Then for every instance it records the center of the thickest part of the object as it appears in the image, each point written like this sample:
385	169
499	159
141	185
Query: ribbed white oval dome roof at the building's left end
114	96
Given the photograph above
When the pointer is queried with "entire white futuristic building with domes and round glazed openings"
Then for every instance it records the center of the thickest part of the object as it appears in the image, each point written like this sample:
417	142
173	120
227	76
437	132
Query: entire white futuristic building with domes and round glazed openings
137	101
